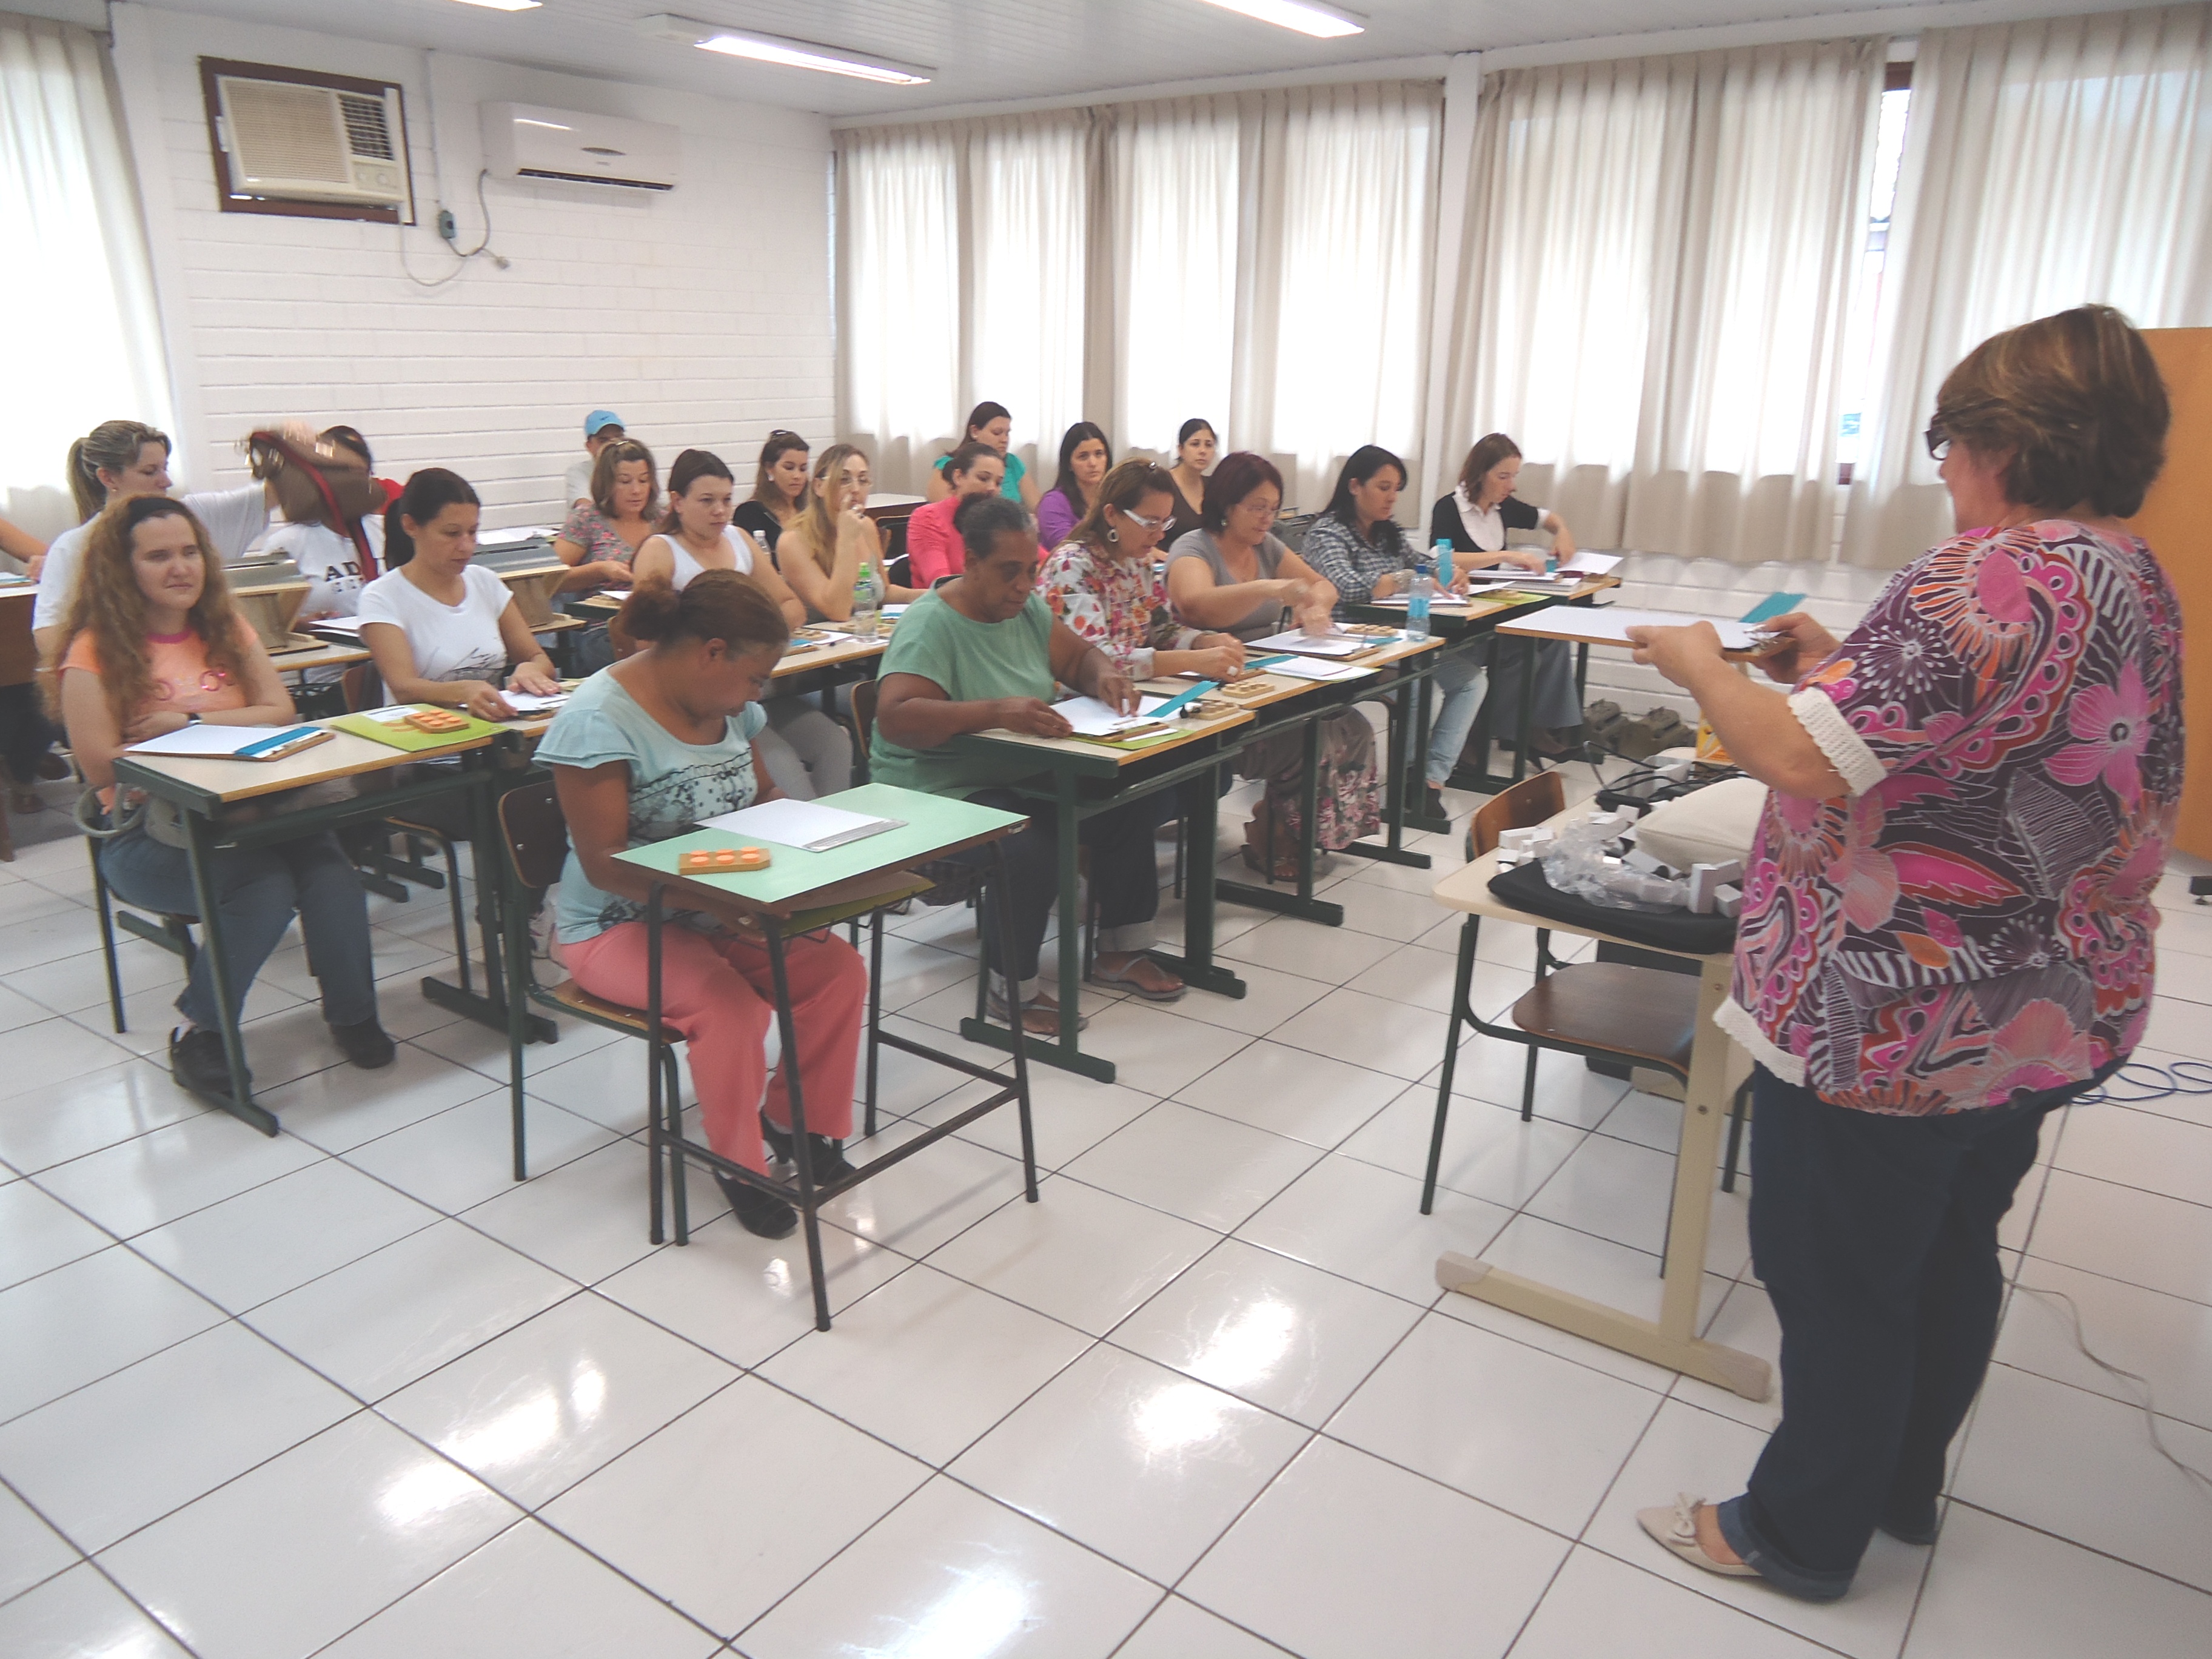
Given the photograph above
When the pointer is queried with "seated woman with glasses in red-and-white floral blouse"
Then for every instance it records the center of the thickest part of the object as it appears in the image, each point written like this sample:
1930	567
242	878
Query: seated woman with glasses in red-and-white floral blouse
1105	587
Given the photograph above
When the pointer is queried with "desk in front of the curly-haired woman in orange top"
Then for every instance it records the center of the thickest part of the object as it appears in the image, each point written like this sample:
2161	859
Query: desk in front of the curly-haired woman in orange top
205	789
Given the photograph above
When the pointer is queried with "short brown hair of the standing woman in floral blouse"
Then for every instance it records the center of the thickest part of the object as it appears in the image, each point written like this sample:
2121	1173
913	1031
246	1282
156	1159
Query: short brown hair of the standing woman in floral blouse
2078	404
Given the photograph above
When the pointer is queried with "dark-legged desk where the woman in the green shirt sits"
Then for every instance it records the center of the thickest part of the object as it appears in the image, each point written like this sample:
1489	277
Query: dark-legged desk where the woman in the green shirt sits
1083	780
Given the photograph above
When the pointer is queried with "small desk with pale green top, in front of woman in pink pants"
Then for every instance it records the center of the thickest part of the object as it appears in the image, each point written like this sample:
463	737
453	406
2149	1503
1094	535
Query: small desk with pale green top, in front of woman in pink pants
802	893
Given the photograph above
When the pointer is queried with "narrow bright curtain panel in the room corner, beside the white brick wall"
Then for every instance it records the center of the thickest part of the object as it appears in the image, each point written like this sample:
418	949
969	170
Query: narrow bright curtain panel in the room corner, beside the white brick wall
899	282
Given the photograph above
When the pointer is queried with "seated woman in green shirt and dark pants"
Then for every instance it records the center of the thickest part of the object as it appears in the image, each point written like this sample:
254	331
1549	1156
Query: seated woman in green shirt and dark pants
979	654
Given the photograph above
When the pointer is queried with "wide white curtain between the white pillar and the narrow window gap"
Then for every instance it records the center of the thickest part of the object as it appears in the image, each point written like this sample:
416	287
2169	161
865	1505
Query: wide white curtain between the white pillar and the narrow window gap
1660	262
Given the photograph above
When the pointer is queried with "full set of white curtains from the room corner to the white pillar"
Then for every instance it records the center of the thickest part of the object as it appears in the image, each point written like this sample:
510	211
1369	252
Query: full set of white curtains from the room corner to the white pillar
1255	260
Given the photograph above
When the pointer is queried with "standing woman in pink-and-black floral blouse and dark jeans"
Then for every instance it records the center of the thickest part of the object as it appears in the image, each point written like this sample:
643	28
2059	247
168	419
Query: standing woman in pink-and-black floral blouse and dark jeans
1948	926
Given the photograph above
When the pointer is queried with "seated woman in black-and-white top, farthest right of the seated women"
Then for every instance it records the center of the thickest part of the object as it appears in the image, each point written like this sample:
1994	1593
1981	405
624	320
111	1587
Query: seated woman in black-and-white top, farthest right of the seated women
1477	519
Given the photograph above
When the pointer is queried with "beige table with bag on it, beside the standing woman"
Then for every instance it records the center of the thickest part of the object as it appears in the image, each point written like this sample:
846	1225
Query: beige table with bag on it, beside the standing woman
1718	1067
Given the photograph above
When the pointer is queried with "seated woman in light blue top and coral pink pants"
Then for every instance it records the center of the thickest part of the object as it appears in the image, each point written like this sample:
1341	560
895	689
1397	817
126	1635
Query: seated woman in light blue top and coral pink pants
643	753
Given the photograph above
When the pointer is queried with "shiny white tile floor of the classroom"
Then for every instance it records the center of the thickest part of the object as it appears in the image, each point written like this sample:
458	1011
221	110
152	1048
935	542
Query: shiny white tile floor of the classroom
355	1392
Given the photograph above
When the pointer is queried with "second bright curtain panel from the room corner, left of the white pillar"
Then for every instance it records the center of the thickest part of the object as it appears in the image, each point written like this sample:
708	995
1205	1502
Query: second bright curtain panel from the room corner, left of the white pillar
1030	189
